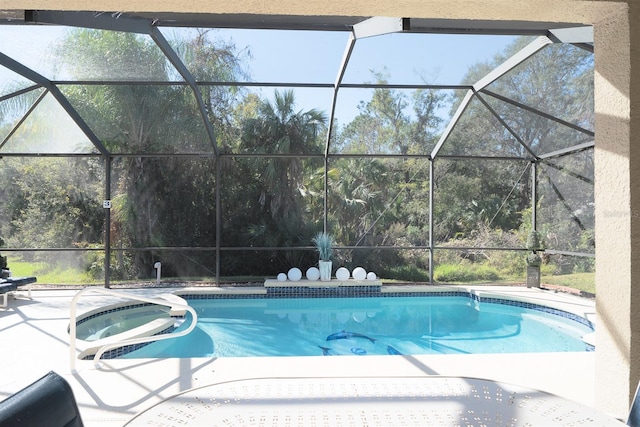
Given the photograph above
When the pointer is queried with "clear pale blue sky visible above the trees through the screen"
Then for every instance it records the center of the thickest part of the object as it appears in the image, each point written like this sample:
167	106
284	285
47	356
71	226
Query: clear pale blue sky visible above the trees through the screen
307	57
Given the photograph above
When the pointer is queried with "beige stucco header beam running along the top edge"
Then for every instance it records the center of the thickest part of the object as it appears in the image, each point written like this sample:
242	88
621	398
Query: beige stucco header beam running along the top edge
532	10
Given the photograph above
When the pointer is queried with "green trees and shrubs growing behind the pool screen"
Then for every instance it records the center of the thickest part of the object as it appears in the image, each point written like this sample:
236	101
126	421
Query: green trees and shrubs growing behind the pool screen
271	174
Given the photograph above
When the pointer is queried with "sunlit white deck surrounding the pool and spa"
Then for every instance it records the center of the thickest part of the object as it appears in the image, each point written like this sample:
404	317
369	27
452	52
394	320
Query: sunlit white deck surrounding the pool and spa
35	341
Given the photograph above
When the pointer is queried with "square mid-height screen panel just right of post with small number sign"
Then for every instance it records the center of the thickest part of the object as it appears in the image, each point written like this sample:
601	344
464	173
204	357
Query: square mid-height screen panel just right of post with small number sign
163	201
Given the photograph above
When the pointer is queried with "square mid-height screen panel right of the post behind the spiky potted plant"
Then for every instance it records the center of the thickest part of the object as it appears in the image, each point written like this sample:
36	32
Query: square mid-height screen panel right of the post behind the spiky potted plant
379	202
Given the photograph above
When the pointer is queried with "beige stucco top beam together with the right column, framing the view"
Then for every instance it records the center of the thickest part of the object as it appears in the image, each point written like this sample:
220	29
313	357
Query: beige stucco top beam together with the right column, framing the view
617	37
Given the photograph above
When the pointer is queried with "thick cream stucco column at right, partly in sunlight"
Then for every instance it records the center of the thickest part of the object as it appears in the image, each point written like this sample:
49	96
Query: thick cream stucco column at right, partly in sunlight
617	198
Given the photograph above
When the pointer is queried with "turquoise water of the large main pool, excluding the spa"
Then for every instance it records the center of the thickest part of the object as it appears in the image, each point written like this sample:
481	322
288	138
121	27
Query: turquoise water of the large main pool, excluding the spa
368	326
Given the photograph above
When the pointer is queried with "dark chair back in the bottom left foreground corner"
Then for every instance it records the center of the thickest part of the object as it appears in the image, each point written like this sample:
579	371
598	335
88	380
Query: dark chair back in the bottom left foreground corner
47	402
